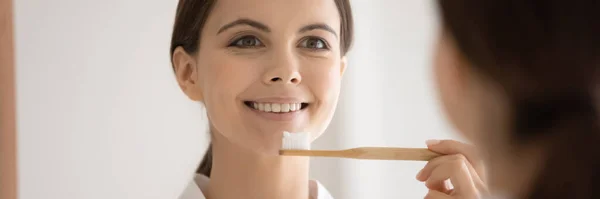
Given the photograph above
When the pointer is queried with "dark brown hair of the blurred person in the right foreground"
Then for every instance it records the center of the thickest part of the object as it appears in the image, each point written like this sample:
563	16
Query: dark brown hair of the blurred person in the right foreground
544	54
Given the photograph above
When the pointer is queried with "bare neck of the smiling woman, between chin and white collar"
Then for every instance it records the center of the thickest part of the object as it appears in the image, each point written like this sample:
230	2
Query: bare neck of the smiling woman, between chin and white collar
241	173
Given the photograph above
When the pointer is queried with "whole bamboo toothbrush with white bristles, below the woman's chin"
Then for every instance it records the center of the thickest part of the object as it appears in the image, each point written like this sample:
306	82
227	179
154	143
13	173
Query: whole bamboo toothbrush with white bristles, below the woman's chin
298	144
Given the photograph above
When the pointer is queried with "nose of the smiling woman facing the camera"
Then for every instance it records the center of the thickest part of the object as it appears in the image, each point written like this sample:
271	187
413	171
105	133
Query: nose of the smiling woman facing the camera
283	70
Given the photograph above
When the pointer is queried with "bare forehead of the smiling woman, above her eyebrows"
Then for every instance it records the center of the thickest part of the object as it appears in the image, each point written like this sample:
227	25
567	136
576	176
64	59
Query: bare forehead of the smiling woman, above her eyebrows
277	14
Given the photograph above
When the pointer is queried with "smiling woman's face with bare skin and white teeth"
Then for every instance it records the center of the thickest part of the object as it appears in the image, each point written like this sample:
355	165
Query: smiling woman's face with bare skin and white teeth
268	66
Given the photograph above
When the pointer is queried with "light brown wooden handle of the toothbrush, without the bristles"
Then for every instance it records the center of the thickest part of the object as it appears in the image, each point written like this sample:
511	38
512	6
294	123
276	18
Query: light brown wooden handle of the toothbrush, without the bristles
370	153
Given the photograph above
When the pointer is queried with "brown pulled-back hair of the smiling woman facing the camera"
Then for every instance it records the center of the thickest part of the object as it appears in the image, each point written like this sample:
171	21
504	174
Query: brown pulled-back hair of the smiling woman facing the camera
189	21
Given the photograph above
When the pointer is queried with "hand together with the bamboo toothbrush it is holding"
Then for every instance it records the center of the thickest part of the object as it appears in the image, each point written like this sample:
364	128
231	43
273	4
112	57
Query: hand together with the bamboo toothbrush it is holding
449	160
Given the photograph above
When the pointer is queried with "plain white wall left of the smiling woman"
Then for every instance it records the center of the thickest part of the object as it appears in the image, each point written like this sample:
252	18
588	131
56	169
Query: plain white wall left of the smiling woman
100	115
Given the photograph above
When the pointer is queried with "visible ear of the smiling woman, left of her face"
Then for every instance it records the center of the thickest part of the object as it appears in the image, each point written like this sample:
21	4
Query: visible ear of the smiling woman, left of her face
186	72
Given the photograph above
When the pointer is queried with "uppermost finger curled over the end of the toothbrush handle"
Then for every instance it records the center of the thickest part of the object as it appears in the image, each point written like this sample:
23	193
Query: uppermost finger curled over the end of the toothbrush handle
455	147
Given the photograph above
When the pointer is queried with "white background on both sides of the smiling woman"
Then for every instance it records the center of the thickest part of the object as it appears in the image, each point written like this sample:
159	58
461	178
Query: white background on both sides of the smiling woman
100	115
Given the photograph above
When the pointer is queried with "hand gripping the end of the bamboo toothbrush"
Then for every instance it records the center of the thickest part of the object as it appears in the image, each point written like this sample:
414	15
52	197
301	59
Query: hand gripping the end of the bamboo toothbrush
461	165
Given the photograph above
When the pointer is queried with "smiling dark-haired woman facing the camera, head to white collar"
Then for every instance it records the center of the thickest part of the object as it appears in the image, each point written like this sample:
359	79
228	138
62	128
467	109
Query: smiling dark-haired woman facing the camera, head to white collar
260	67
